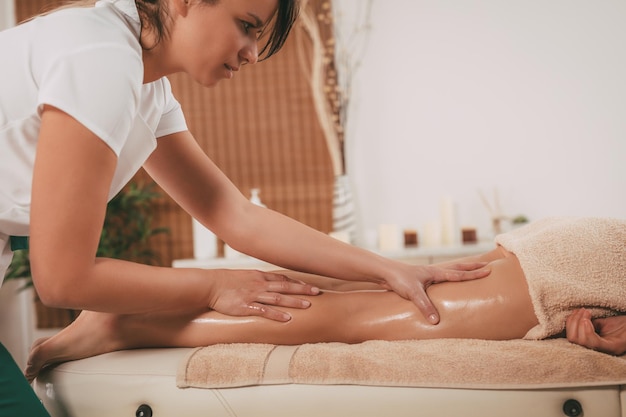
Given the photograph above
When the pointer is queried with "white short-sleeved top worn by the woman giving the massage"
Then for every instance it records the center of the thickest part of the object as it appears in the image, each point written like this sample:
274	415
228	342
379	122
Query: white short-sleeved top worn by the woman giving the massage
86	62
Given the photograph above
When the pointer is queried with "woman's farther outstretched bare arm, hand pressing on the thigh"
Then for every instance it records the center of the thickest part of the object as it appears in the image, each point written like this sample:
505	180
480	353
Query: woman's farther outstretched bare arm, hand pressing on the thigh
186	173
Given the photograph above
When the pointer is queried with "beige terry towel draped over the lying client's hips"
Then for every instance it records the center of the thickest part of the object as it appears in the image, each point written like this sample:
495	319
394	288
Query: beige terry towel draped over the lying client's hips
570	263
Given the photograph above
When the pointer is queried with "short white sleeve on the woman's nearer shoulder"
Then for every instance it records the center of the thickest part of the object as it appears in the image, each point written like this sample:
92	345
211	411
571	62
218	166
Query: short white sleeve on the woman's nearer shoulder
99	86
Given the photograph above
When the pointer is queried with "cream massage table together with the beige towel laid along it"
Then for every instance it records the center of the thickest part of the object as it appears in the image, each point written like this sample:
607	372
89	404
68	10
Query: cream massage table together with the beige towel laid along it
447	377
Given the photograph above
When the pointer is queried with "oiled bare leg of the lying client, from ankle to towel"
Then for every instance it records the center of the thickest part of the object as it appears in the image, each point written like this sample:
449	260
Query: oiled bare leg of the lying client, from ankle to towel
496	307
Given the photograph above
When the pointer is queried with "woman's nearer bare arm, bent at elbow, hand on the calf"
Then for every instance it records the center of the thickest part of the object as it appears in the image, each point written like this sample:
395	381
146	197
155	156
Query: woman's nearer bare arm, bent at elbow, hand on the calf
71	180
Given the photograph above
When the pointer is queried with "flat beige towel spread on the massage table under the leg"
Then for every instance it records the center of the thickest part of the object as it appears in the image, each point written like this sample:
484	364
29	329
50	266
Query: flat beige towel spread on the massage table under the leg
442	363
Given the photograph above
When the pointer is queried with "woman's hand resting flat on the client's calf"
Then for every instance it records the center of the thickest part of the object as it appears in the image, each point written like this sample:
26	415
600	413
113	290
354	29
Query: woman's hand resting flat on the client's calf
256	293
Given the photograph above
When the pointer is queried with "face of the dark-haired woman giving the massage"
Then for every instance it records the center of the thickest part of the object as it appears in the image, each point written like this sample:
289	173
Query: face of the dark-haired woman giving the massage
212	42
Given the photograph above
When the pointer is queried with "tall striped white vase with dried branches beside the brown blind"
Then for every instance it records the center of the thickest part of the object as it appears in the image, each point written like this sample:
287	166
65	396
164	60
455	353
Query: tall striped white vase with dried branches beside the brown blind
331	66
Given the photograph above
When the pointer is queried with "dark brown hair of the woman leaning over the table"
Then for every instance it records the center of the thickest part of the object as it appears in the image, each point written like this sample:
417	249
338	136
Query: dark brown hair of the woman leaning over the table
154	14
